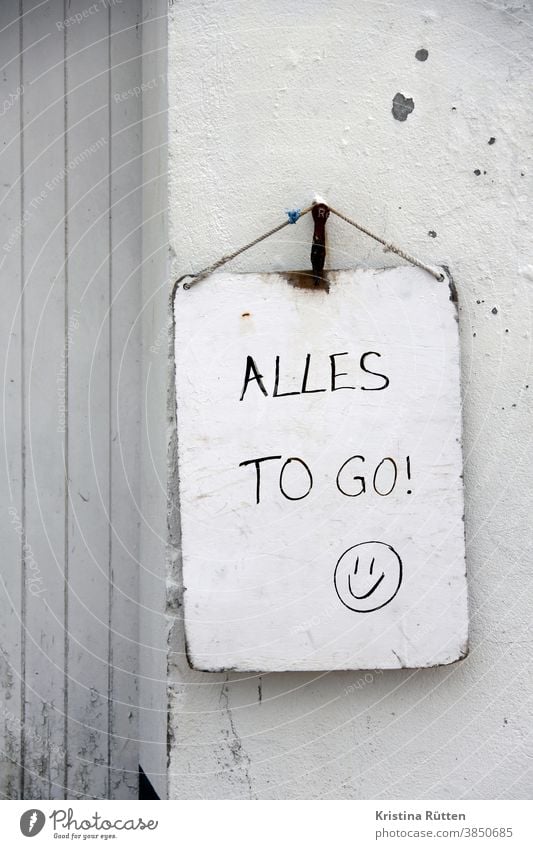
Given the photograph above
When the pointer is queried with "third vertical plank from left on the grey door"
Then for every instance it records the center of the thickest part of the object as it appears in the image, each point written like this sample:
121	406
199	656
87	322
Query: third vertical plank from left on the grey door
89	363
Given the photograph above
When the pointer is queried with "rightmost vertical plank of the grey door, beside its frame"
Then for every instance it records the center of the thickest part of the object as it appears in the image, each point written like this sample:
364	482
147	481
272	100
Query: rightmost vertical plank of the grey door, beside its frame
126	192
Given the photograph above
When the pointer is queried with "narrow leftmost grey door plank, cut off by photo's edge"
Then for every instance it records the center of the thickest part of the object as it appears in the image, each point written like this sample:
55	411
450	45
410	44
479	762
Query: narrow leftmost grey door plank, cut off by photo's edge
11	493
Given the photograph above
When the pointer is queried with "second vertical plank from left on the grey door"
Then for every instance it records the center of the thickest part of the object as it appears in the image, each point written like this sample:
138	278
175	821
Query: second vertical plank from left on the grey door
46	414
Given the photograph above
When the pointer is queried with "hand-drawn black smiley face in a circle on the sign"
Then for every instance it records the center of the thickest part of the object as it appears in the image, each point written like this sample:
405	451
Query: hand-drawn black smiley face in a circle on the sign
368	576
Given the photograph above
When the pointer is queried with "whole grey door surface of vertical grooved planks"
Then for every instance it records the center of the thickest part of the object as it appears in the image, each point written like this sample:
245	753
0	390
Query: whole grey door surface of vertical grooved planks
71	342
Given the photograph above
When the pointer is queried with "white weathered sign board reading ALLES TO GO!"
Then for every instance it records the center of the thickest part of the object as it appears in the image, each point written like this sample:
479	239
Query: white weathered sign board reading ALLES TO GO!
320	471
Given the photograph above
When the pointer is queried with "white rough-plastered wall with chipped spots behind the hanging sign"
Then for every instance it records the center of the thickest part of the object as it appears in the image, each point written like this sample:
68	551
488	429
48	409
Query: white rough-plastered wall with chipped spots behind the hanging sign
270	102
